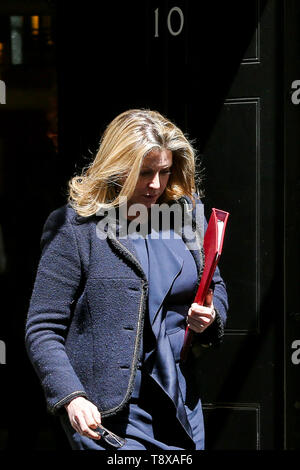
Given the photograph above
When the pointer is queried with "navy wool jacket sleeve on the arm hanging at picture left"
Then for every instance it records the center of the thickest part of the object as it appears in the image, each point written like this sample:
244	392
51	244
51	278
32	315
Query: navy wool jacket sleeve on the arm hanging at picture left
57	279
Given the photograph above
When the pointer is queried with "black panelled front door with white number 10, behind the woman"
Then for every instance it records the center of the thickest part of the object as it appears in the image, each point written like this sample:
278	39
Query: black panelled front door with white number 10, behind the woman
216	69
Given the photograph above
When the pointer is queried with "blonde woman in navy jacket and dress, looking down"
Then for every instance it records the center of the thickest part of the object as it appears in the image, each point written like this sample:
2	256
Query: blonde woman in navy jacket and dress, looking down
108	312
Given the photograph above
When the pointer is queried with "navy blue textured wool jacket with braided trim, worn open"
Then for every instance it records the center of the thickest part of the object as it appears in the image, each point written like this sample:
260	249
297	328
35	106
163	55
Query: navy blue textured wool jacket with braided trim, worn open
87	309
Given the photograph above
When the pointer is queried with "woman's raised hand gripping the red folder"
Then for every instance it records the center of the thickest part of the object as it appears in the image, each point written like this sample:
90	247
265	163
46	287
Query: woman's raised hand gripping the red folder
201	316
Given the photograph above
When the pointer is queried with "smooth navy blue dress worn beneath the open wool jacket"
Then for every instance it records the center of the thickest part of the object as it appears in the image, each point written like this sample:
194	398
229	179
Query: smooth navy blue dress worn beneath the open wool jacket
159	415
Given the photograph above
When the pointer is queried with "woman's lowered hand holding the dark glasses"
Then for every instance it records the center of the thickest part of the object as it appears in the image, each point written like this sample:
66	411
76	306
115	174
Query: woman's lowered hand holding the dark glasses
84	417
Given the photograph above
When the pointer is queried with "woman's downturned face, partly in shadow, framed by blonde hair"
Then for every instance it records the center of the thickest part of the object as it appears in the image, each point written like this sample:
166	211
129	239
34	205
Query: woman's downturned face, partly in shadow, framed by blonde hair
153	178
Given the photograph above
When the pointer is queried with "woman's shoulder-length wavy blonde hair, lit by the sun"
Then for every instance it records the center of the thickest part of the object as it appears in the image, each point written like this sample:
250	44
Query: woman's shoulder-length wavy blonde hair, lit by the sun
114	172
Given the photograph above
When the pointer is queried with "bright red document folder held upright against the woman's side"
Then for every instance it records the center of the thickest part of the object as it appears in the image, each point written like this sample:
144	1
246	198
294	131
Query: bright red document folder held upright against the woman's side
212	245
